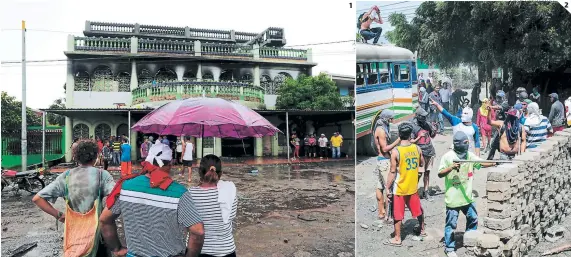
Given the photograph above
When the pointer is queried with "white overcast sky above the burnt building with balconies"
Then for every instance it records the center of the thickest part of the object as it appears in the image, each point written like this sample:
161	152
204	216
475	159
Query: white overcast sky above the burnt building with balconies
305	22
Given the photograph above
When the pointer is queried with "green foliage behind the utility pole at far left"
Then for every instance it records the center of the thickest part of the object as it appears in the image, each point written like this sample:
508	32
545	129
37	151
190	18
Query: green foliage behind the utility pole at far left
12	115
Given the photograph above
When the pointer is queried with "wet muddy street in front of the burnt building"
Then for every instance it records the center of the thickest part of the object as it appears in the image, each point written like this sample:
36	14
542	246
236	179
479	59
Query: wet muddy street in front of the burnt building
300	210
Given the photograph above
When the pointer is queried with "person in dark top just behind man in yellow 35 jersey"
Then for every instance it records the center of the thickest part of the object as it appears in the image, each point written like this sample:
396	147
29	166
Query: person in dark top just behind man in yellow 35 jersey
422	135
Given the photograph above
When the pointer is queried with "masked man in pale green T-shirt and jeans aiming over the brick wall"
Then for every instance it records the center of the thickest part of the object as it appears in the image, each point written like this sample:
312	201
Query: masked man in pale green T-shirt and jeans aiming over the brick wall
458	182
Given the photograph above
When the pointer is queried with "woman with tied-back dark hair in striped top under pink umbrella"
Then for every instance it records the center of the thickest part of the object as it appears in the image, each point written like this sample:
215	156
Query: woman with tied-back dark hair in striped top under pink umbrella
216	202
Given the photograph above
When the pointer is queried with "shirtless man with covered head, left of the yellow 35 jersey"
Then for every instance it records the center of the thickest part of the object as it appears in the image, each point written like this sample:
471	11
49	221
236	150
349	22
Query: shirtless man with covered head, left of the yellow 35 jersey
381	139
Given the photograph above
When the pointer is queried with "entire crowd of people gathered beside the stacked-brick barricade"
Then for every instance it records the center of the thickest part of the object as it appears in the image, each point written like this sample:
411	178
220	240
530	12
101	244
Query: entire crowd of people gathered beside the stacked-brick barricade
401	163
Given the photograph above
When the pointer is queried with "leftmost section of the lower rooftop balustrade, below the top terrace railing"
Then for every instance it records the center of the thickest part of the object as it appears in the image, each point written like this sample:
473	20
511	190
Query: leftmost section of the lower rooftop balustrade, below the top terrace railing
102	44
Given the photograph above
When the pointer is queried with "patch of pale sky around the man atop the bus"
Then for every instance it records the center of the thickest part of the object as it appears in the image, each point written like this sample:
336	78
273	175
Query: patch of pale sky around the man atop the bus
407	8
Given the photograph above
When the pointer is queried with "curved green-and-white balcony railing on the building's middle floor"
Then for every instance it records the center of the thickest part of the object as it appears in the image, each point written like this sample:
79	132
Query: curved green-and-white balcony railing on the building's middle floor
182	90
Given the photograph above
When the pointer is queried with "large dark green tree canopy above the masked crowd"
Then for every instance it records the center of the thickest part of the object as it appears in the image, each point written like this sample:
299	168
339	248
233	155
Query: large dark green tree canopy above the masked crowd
515	34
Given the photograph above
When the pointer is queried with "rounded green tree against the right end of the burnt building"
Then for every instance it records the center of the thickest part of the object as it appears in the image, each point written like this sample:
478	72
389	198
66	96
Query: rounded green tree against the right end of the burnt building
309	93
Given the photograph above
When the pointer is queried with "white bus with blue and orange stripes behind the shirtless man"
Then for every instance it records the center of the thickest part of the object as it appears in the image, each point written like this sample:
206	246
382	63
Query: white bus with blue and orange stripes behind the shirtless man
386	79
